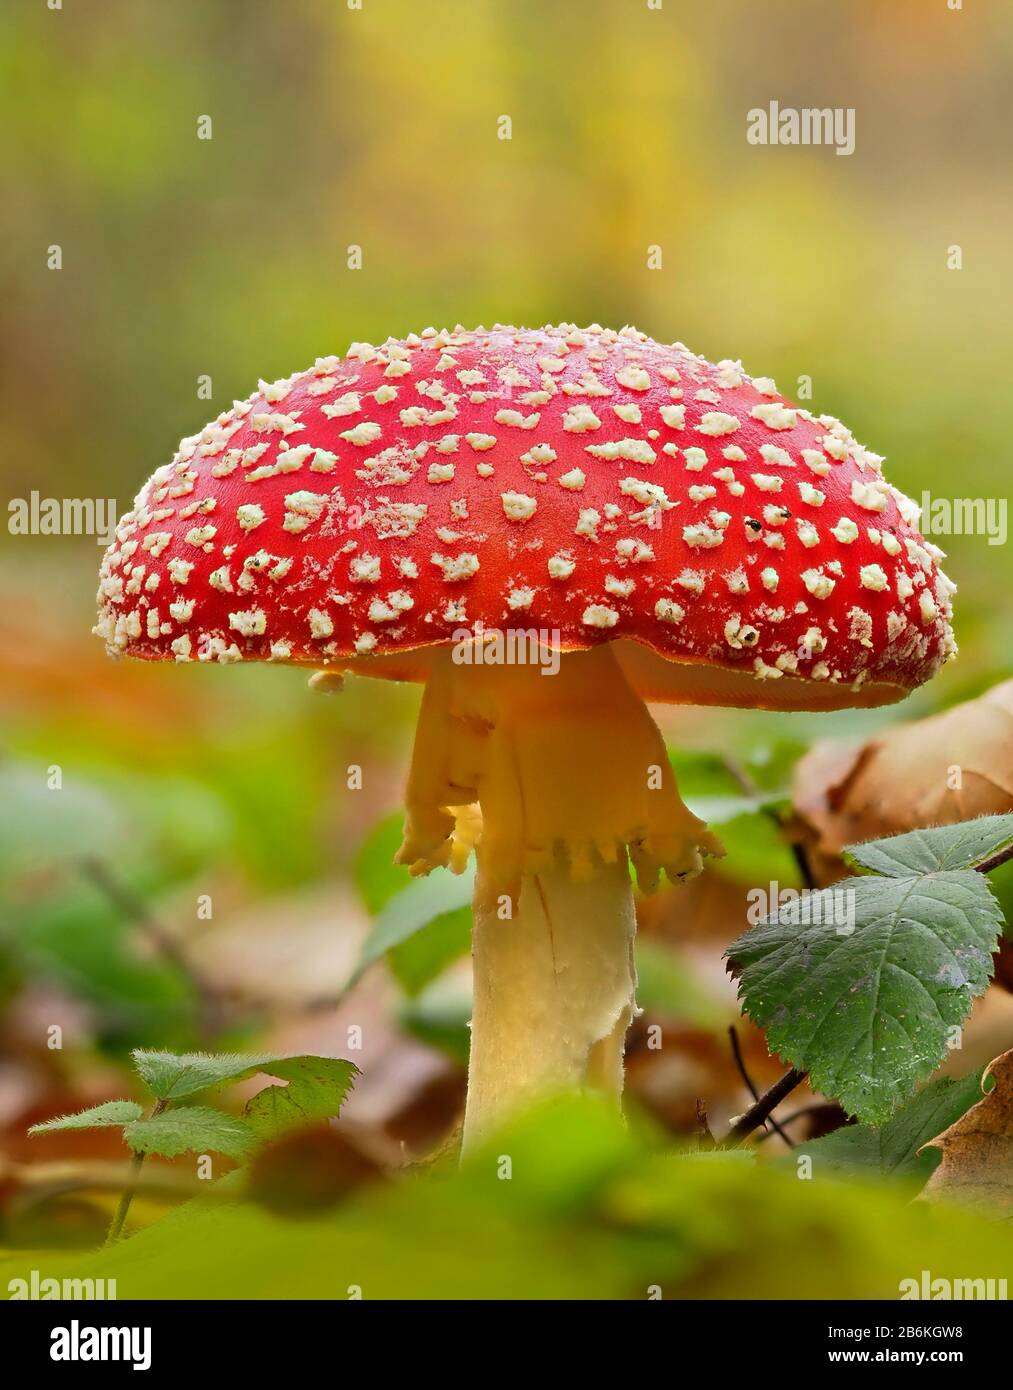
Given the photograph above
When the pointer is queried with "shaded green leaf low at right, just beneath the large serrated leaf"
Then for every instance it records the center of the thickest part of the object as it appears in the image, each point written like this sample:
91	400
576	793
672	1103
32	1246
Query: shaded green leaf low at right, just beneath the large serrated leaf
893	1150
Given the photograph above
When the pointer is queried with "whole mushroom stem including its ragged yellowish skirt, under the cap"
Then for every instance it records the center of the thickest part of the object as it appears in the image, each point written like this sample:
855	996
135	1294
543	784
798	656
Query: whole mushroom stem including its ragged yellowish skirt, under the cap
575	783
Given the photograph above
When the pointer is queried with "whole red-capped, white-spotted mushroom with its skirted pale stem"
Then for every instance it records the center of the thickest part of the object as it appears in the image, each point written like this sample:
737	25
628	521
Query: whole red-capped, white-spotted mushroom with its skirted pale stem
547	529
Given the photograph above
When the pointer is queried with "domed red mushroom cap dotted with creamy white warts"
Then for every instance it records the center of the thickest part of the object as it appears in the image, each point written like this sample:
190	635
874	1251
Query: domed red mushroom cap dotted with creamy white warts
593	484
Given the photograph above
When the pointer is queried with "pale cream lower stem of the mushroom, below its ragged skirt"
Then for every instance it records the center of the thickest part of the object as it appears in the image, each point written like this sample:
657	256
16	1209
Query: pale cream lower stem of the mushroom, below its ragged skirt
554	993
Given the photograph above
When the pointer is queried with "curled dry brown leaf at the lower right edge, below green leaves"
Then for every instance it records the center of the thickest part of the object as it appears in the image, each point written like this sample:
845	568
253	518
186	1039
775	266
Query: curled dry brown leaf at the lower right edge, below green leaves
978	1152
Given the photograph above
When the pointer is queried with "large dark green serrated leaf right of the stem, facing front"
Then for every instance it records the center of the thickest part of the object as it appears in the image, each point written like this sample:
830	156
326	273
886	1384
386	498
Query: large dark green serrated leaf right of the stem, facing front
869	1013
